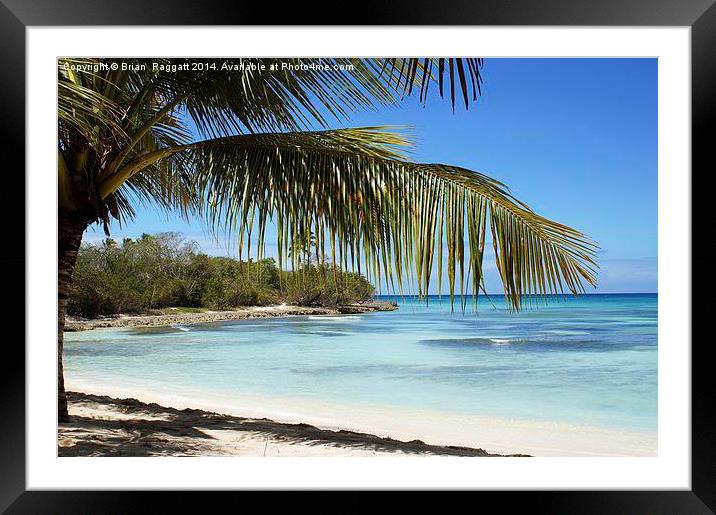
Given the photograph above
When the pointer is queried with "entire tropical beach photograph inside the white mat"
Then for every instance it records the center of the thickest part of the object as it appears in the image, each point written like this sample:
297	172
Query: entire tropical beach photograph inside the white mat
357	257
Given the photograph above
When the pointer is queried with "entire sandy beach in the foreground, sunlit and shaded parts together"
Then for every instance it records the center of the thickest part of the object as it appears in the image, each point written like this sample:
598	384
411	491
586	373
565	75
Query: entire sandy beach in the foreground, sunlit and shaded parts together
115	421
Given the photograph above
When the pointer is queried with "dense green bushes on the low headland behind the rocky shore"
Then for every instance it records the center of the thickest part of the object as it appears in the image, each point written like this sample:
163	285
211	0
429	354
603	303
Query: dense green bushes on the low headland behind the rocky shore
160	271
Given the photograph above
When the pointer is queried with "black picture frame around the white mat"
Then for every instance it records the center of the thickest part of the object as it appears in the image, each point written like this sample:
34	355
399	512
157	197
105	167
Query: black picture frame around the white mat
700	15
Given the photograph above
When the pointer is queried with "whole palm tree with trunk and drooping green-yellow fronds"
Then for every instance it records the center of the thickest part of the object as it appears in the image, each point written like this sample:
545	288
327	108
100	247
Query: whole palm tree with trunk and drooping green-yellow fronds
234	141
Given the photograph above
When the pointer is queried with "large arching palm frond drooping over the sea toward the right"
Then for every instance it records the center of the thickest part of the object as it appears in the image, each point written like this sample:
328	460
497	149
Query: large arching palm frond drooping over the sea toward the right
388	217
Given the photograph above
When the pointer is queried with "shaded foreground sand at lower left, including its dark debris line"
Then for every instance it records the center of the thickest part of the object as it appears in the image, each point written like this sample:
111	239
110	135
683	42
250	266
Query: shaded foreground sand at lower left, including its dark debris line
105	426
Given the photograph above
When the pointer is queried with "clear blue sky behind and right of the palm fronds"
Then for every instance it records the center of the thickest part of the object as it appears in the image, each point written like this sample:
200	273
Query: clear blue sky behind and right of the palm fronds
576	139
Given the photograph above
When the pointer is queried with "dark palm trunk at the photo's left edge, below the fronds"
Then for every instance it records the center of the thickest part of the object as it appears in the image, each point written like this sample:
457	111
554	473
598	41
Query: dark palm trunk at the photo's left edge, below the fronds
70	230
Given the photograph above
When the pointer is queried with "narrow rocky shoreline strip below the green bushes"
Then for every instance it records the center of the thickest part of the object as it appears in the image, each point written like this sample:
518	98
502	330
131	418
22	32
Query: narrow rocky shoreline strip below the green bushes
277	310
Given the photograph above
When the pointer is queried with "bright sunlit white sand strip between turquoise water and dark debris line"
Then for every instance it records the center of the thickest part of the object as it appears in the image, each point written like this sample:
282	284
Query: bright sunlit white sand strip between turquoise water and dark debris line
499	436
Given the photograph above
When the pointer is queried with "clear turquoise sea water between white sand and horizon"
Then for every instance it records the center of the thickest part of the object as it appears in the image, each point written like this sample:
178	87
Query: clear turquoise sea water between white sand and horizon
589	361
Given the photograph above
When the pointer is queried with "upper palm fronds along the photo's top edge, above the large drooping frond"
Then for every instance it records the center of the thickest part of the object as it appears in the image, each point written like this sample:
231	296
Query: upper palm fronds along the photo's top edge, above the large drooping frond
115	110
